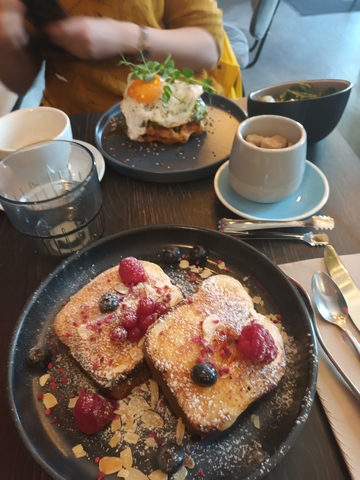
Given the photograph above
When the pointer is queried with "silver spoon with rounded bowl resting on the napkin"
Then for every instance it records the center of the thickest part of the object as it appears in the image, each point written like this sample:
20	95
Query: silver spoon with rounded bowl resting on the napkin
331	304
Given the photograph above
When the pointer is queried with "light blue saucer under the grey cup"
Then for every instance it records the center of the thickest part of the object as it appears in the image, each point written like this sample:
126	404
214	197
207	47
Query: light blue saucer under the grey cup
312	194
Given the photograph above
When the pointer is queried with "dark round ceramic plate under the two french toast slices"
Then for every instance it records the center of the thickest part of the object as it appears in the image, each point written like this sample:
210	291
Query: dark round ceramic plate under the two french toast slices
241	453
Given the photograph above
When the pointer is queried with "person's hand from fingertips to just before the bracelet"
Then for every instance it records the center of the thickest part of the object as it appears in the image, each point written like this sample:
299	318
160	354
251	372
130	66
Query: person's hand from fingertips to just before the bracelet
87	38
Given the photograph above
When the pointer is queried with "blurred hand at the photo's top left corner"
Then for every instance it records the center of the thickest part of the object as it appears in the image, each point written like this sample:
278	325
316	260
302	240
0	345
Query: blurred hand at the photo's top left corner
13	34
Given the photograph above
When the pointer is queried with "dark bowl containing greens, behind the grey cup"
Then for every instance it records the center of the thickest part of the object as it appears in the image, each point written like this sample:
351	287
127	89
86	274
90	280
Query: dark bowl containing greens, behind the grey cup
319	116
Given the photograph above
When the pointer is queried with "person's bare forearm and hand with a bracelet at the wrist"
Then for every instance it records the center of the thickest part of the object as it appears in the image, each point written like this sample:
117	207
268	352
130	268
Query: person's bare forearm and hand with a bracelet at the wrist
93	38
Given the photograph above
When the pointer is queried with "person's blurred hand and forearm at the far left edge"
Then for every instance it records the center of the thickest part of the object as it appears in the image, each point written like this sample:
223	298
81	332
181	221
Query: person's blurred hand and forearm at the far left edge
18	67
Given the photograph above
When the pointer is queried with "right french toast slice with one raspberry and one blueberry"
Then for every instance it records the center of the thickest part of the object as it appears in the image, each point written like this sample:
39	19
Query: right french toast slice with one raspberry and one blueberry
205	329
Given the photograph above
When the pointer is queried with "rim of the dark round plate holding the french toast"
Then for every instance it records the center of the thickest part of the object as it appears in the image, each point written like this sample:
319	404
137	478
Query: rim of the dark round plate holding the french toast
306	404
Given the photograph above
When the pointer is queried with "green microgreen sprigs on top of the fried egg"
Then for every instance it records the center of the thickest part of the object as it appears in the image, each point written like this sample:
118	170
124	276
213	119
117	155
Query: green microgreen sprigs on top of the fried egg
149	69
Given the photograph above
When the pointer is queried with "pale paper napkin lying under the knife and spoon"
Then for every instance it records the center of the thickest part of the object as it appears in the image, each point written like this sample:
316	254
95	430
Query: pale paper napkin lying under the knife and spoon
340	405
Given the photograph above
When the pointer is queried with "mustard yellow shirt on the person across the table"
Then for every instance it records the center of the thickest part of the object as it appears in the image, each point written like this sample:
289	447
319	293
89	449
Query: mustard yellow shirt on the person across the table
80	86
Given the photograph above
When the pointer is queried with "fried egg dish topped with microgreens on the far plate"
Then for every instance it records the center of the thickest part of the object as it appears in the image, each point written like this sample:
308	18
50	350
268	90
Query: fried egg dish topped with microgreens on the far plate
163	104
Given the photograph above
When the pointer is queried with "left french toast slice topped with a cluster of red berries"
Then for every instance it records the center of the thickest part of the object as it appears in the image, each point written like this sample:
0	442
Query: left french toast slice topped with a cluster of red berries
115	367
